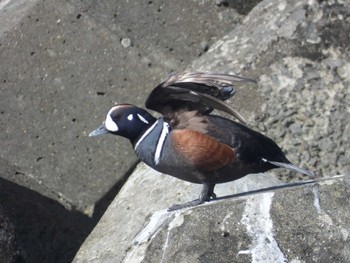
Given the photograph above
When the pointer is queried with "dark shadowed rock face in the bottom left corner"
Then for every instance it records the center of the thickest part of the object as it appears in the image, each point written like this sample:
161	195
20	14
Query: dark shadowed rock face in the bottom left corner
38	229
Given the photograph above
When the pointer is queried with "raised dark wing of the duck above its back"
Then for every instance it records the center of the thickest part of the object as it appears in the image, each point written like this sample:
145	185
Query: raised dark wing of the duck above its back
198	91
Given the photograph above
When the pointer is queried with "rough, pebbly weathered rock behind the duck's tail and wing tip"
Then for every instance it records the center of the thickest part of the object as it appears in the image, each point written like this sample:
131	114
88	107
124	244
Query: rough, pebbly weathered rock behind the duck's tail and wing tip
299	51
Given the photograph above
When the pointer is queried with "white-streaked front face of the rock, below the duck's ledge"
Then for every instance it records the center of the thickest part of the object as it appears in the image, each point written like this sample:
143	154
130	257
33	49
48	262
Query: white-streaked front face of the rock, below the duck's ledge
296	224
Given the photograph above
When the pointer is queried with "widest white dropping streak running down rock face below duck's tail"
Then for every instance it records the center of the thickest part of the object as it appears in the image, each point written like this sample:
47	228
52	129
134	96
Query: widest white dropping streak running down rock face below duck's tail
256	218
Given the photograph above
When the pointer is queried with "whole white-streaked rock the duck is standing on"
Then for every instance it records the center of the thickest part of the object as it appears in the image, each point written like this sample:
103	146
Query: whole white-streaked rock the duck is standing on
304	222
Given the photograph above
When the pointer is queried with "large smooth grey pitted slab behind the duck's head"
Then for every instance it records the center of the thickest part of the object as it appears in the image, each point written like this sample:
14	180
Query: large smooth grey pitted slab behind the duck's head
64	64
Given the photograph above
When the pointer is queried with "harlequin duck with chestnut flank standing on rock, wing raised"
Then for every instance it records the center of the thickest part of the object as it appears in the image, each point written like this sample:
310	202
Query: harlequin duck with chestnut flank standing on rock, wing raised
188	142
